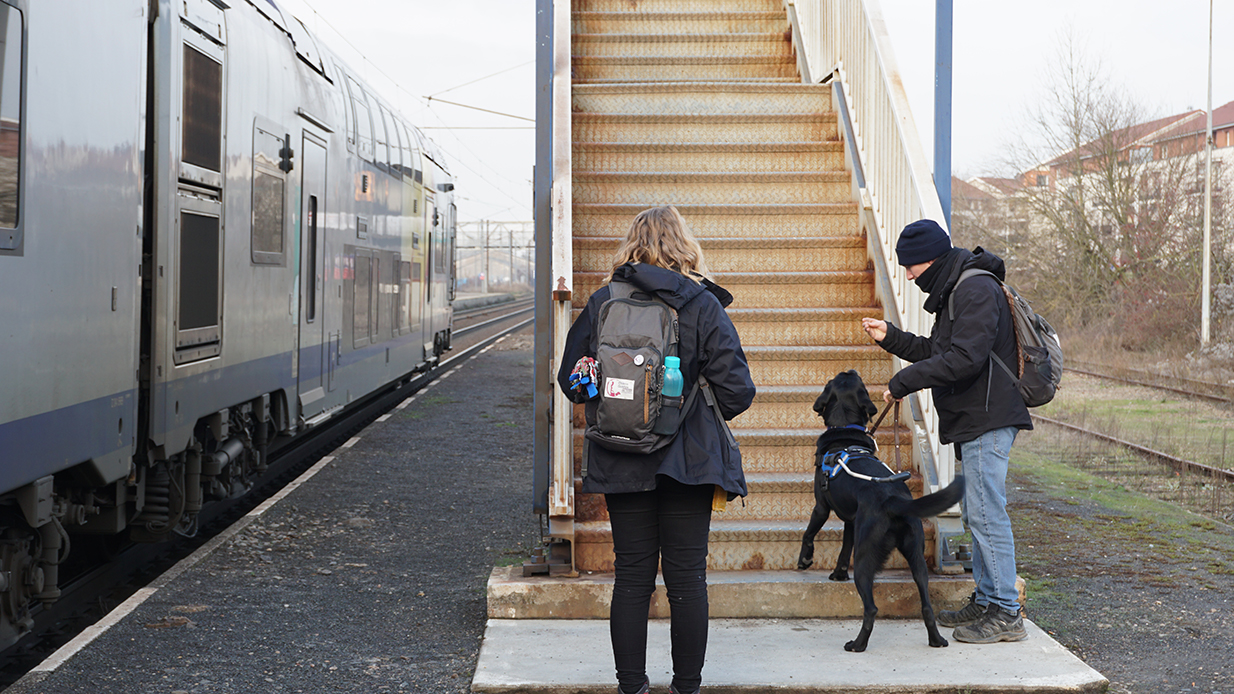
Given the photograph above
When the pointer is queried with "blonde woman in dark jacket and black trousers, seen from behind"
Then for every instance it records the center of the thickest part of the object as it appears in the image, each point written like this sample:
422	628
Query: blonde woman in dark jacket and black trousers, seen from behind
661	503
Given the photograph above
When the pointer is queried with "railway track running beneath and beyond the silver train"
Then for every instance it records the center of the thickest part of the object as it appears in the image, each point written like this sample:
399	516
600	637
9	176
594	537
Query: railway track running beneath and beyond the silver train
120	571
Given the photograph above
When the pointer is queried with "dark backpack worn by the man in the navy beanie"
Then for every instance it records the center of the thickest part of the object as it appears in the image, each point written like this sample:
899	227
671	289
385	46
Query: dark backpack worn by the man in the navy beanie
1041	354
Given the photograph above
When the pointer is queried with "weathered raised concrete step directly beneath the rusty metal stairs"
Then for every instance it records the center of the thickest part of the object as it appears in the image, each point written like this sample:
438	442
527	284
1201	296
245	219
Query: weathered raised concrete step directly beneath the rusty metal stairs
740	595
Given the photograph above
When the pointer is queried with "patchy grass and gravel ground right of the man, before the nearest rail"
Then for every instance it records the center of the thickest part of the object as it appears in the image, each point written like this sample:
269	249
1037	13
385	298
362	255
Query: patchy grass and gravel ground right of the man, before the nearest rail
1138	588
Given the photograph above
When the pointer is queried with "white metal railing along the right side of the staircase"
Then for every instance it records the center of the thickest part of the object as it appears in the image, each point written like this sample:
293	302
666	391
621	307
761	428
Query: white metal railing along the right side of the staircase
846	43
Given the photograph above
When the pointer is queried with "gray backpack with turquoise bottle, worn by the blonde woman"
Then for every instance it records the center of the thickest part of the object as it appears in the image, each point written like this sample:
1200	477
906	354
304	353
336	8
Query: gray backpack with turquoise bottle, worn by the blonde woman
635	335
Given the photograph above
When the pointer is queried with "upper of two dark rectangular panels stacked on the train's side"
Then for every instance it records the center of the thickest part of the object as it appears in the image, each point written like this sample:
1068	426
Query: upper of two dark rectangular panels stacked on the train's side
203	115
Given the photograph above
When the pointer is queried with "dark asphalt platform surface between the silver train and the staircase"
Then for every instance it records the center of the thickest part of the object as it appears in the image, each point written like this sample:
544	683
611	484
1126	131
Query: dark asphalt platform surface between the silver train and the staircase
368	579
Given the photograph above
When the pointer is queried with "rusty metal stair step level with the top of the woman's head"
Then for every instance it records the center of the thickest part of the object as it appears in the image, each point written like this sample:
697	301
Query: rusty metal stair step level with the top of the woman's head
837	219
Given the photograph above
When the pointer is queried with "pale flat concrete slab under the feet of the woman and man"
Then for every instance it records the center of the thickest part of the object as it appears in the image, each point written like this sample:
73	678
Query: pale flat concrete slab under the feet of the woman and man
781	656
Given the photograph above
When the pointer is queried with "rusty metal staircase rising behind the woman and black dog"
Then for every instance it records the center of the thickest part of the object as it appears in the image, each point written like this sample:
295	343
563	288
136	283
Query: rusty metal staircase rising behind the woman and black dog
699	104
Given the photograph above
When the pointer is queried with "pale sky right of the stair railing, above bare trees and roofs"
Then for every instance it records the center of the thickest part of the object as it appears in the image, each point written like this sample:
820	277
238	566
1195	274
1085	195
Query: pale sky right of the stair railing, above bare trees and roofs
1003	51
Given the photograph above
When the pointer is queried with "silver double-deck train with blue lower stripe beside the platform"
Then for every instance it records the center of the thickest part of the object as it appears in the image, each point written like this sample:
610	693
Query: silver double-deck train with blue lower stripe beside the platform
213	235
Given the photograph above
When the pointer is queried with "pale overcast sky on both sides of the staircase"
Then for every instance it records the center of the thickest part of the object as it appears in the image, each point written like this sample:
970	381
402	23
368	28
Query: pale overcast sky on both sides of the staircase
415	49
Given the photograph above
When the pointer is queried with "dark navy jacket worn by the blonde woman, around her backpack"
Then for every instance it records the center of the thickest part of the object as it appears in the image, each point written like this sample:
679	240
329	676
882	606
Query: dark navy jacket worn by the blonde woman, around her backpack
709	345
